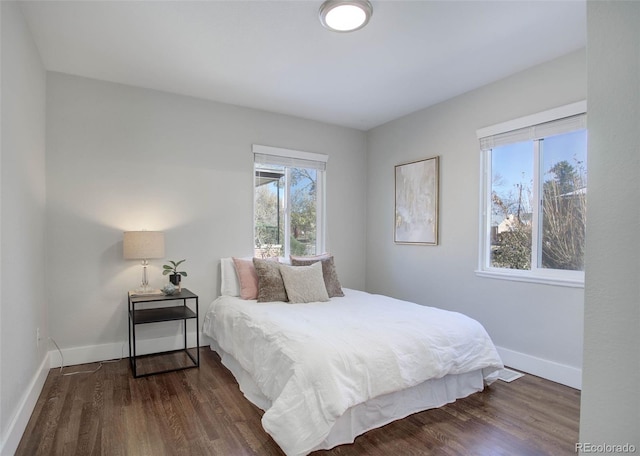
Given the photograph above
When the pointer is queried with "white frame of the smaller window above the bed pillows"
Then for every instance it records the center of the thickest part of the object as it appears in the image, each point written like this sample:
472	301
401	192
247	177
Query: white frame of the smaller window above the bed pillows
290	158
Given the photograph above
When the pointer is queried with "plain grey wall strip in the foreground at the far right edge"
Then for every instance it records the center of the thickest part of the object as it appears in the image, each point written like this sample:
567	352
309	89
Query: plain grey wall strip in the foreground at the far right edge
610	409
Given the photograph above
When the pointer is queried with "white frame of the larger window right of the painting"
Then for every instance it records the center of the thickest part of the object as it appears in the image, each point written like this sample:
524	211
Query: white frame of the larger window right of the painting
536	274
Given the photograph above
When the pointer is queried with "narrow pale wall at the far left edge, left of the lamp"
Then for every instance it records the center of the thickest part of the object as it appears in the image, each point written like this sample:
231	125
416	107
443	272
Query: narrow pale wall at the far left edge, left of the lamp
22	223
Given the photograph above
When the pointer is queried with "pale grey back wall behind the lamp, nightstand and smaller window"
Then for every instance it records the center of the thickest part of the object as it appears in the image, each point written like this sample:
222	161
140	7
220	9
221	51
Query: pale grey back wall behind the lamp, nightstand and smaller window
123	158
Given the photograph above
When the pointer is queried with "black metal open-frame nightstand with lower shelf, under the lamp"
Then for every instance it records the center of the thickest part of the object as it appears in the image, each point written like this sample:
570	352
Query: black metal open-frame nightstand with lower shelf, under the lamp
158	308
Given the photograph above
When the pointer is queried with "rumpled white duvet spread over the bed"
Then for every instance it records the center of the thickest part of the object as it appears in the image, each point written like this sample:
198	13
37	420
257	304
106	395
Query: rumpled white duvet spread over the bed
314	361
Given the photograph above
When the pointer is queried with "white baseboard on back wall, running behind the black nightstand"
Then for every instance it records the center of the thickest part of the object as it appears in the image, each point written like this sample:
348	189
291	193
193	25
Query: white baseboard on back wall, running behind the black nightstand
117	350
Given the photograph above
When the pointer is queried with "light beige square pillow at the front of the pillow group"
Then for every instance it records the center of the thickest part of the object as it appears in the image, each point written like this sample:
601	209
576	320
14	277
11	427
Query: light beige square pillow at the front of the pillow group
304	283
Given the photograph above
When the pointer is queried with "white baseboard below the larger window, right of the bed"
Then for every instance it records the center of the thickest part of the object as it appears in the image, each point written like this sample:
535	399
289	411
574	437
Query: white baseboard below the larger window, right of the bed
556	372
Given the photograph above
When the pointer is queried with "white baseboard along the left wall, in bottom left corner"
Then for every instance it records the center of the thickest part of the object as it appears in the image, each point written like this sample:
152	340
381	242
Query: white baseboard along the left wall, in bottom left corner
19	421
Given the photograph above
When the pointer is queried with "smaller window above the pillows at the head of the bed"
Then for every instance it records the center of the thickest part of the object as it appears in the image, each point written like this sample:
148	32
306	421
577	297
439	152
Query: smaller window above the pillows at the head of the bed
288	212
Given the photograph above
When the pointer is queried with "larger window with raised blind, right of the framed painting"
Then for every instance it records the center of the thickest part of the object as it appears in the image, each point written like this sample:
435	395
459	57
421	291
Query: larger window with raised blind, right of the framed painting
534	197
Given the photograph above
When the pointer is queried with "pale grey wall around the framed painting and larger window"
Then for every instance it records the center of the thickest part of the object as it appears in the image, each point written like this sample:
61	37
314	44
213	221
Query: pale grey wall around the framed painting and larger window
538	327
